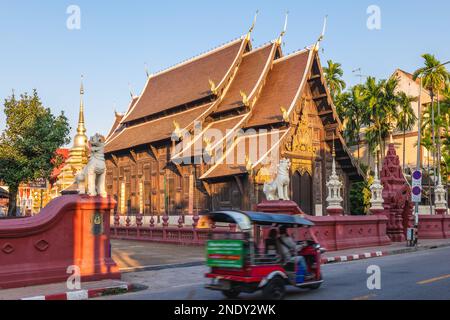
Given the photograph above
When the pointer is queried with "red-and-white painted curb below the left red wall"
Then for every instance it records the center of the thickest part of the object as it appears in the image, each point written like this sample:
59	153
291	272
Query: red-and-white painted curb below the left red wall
85	294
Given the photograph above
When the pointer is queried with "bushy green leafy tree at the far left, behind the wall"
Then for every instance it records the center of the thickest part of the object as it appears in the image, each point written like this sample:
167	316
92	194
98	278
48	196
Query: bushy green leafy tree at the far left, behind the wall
29	143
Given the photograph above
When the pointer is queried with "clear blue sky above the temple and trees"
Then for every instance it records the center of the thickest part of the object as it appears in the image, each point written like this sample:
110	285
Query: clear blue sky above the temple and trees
117	37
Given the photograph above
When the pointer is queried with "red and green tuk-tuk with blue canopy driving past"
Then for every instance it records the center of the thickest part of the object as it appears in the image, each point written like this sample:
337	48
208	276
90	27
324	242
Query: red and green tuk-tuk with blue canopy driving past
242	262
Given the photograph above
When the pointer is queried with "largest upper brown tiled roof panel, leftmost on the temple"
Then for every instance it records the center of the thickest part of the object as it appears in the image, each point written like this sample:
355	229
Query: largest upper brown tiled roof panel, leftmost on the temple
188	81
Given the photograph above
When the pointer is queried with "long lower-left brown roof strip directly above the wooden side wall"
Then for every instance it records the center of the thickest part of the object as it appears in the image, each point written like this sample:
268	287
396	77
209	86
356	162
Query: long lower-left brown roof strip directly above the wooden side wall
151	131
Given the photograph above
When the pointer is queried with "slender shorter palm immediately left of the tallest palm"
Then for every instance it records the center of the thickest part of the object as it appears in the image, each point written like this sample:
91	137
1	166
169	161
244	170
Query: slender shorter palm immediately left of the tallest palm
405	118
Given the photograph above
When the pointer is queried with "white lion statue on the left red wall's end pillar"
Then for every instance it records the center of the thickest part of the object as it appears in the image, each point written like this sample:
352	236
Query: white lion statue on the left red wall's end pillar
93	174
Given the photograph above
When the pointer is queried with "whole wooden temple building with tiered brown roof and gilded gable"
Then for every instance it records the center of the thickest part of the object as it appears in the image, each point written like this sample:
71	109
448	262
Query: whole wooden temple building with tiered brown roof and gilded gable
207	133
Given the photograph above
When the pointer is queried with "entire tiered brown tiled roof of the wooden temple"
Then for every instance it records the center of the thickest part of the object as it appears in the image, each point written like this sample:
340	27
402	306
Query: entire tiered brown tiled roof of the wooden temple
230	88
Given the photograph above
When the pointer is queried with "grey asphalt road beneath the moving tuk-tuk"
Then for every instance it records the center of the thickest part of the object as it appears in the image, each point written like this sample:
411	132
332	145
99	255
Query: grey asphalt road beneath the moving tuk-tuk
419	275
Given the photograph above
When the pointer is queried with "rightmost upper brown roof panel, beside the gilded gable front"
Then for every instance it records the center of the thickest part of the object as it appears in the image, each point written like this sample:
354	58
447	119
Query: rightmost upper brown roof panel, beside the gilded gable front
282	85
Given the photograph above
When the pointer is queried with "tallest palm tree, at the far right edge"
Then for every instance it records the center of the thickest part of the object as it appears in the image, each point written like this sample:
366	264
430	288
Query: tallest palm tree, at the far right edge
434	78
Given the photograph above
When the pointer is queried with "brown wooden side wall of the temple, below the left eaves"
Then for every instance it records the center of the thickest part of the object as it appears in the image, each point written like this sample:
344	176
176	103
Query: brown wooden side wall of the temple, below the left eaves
142	184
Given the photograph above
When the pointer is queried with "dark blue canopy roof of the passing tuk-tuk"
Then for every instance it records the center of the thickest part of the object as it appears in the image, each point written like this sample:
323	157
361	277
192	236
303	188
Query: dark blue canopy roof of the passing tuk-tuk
244	219
